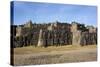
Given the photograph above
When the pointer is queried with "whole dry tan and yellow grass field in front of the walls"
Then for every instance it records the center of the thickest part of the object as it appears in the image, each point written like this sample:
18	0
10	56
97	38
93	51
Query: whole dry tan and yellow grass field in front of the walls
51	55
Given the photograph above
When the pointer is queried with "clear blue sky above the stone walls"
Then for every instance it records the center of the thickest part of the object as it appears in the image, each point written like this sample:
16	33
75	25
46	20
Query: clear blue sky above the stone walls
47	12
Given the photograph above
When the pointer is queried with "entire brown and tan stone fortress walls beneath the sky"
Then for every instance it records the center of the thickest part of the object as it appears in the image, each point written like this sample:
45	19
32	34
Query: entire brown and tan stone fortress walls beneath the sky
53	34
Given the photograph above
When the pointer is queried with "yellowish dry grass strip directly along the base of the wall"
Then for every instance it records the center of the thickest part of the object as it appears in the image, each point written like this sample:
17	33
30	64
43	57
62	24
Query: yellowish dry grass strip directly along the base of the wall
32	49
